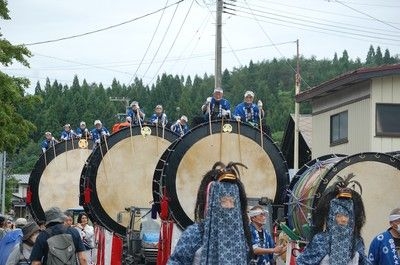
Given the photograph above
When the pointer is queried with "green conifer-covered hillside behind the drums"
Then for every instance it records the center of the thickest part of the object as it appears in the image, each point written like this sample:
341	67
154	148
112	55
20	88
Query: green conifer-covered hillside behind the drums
271	80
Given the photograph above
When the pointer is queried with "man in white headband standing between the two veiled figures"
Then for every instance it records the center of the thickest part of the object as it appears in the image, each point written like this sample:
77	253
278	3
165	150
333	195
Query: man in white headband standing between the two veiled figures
263	245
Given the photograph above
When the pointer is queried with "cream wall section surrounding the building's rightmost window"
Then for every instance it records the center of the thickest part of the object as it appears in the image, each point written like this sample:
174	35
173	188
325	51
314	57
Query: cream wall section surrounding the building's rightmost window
384	90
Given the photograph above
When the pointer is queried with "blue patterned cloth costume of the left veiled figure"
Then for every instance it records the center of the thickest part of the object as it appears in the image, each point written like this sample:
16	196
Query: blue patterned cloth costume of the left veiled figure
220	235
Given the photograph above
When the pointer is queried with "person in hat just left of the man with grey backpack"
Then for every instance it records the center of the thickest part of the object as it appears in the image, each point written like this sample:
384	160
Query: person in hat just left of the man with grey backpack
21	252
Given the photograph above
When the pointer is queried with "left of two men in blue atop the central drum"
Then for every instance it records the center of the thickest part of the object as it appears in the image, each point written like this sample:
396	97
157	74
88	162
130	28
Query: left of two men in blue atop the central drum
216	107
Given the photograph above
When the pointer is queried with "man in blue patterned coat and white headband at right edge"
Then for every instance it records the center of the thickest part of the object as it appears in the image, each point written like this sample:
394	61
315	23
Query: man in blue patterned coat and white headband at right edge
385	247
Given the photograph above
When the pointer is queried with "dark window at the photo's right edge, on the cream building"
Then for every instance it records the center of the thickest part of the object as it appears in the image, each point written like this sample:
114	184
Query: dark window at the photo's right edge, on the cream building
387	120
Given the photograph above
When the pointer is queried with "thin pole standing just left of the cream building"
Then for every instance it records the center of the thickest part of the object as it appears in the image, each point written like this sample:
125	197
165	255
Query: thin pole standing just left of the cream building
296	115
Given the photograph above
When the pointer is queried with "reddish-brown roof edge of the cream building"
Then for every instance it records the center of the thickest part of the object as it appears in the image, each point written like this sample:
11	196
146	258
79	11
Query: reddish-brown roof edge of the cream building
344	80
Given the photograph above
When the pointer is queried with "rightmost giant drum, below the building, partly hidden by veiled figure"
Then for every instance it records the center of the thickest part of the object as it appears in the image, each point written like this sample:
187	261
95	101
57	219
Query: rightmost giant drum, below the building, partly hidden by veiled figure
379	176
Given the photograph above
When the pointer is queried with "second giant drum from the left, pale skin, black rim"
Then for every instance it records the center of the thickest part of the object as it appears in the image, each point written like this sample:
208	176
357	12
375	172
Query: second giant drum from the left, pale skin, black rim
119	174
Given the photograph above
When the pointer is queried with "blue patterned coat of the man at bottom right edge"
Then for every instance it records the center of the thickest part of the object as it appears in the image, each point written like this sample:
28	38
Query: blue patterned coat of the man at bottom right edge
382	250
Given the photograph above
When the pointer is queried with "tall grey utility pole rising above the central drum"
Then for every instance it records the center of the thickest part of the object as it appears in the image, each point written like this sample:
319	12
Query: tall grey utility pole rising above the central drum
218	45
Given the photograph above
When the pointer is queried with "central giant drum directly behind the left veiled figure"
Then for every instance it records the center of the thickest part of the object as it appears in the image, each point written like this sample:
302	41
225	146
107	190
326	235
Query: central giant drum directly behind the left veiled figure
195	153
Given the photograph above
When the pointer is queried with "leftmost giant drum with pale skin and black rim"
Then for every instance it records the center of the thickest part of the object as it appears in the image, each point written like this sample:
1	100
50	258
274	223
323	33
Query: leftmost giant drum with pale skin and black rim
54	180
